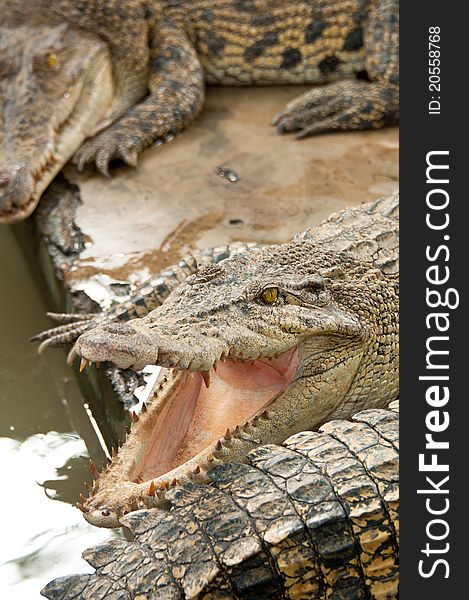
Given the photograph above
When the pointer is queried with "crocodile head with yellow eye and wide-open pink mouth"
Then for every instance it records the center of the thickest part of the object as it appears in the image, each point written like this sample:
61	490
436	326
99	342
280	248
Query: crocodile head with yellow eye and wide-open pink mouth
253	350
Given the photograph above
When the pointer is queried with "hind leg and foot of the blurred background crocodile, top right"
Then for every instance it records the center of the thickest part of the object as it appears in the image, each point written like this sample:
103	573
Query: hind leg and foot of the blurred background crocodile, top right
356	103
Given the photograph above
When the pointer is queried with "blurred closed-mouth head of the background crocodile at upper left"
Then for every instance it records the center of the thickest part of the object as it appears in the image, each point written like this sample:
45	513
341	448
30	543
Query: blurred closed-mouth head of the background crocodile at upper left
56	89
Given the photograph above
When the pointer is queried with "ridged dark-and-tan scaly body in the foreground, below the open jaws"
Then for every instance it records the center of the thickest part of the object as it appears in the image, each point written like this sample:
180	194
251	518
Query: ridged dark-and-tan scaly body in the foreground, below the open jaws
312	519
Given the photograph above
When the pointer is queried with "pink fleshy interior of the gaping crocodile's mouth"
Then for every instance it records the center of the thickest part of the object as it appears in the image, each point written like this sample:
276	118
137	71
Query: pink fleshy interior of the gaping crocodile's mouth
205	406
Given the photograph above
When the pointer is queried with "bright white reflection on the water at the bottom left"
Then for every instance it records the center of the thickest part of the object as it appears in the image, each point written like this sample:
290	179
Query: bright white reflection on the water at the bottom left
44	537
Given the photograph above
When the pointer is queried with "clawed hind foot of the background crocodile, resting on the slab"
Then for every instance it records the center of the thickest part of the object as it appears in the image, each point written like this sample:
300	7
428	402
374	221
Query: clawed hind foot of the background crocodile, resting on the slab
339	106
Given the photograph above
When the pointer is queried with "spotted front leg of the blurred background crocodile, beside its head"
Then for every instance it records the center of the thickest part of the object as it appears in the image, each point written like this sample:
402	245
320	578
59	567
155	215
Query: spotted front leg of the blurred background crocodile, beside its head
176	94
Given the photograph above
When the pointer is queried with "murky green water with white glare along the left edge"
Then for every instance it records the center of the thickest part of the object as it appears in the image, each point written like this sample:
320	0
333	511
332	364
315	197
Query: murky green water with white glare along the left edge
45	440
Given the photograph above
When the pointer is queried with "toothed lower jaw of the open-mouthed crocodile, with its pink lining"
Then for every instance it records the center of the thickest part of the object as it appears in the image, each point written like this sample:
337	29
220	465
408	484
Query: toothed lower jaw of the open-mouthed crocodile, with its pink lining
193	421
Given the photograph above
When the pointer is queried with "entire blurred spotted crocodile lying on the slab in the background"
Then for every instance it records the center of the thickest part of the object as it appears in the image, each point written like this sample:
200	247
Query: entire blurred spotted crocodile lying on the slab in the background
122	75
